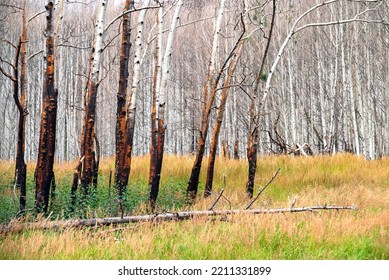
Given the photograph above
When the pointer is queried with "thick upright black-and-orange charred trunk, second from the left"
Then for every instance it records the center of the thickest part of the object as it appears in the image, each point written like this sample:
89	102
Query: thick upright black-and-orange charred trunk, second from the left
44	169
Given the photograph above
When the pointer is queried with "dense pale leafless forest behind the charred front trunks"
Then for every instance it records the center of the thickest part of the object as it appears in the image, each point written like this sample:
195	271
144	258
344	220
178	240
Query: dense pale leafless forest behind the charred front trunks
330	89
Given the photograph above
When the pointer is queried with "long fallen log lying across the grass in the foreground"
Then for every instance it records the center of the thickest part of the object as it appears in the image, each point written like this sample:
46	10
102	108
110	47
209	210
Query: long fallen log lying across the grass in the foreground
178	216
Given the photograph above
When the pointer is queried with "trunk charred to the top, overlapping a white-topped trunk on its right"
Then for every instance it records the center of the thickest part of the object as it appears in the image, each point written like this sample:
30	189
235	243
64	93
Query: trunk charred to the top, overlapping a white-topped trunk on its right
121	164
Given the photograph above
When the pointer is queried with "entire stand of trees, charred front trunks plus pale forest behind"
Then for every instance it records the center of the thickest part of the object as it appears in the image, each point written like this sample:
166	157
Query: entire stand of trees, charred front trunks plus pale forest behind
266	77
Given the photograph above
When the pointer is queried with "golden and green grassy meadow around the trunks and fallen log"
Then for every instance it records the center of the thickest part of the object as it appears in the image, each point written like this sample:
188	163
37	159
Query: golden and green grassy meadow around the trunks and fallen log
333	180
